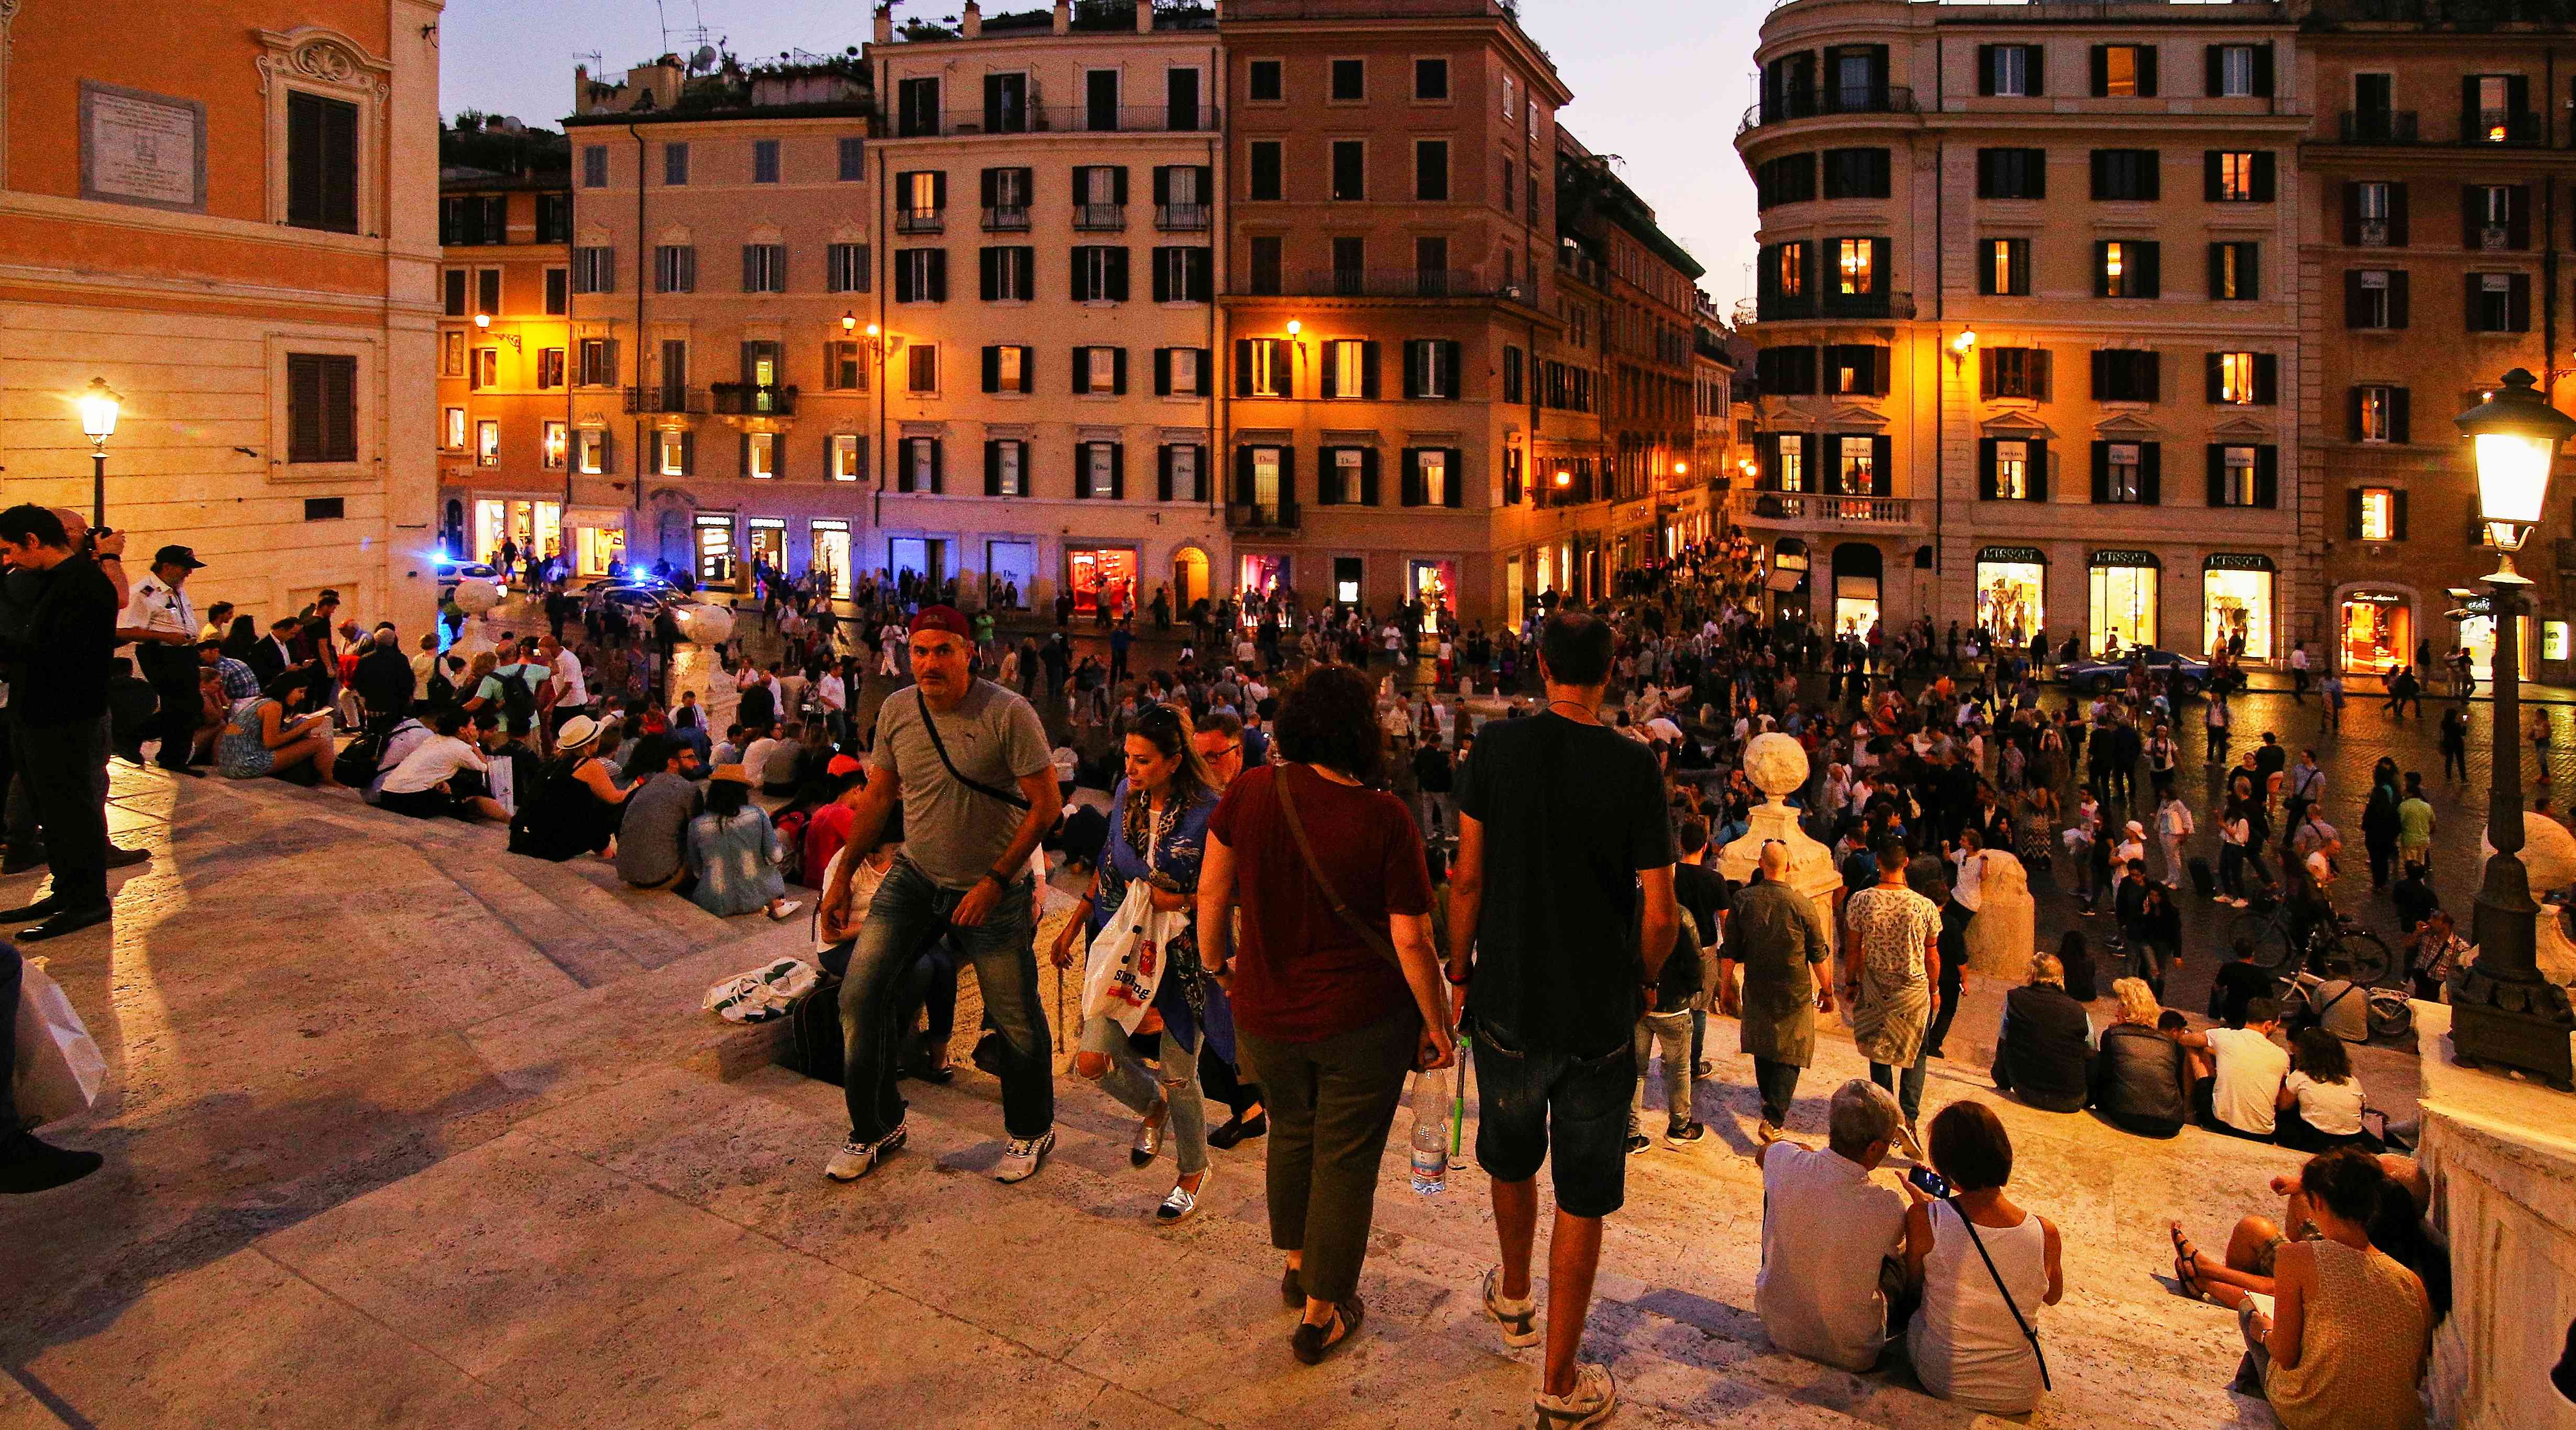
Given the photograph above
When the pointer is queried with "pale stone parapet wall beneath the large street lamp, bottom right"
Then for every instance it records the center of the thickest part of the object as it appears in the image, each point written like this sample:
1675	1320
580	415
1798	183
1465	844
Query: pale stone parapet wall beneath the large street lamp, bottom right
2503	1158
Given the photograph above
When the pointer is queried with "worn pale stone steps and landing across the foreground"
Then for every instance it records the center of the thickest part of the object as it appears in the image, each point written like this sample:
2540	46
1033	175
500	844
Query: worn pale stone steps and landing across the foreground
406	1130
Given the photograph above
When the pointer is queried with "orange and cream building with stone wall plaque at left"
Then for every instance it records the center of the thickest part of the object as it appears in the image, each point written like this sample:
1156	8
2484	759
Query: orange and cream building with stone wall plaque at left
228	220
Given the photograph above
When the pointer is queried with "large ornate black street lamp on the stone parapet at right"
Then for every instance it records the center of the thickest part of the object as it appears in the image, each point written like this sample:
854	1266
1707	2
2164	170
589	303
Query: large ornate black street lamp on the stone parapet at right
2505	1011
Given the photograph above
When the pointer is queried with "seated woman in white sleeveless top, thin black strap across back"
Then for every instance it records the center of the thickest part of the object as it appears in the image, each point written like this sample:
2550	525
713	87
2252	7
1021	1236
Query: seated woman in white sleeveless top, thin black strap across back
1967	1344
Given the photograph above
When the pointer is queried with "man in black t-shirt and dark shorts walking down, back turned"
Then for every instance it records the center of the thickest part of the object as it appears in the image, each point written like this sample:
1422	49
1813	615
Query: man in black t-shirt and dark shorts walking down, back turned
1562	849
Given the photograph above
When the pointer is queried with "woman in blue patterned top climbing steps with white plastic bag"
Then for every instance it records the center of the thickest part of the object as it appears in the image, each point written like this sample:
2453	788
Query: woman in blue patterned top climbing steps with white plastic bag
1158	836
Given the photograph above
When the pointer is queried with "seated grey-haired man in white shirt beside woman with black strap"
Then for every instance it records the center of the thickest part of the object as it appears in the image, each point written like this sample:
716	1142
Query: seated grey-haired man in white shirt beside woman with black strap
1828	1233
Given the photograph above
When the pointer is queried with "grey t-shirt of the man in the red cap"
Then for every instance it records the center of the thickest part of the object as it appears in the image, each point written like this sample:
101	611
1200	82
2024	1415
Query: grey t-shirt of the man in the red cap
957	834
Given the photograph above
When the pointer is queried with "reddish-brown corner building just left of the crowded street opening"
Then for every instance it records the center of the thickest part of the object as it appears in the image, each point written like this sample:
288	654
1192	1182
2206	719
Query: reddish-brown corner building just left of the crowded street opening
1392	277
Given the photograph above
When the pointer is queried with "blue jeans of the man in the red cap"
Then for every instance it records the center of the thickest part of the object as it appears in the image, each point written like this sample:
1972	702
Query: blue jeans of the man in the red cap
911	911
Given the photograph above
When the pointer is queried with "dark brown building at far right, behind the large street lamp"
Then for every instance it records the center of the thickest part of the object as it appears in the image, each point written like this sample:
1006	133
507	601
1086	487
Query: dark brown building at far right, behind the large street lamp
2438	192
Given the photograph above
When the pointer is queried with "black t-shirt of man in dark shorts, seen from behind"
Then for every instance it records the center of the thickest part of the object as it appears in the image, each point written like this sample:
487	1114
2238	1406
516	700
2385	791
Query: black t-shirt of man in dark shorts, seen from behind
1570	815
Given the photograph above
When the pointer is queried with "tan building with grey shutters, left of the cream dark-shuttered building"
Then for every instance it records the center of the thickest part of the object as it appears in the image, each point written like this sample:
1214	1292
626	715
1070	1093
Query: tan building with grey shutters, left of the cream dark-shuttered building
725	259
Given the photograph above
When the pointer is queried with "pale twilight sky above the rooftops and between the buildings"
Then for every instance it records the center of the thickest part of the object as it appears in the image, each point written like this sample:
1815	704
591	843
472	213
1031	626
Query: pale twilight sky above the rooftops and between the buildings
1658	84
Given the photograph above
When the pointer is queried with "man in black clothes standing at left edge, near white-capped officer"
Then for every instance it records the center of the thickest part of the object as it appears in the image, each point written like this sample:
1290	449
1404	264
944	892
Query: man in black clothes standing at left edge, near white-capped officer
58	630
